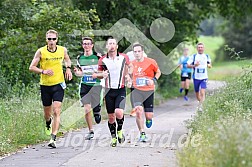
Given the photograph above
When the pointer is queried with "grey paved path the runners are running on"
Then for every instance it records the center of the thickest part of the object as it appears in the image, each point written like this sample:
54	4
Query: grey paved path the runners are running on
165	137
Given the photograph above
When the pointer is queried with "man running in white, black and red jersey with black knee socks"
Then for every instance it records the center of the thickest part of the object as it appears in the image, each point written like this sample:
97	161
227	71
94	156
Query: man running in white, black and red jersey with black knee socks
114	68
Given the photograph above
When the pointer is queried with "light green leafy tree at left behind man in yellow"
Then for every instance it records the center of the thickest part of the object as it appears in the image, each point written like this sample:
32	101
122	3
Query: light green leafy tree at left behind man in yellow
23	31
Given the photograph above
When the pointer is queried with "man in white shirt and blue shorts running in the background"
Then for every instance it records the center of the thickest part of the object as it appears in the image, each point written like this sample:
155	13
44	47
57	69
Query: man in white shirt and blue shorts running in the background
200	62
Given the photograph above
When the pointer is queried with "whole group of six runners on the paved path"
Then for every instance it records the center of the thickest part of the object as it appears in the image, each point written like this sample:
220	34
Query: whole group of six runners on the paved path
118	72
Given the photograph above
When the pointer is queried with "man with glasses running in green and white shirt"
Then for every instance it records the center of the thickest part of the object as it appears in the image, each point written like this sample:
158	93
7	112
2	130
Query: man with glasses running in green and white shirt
90	87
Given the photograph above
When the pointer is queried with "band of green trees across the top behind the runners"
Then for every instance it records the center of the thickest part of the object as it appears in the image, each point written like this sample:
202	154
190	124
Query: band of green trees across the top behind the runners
23	24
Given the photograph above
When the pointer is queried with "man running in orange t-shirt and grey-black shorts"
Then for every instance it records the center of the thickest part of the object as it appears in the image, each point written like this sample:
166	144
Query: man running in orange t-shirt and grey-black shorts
145	74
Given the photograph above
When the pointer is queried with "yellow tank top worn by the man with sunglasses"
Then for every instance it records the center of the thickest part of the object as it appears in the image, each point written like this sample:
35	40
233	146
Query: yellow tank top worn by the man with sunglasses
53	61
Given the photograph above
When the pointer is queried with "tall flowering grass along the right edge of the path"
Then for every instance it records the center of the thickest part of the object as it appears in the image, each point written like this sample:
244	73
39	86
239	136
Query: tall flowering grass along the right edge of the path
225	128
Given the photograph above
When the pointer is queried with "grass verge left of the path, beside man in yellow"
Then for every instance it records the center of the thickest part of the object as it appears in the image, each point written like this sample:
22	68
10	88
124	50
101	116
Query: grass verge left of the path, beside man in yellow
22	119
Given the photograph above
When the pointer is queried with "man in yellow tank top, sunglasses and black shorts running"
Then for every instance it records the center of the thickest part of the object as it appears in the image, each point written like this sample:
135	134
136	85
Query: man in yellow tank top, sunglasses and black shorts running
52	82
